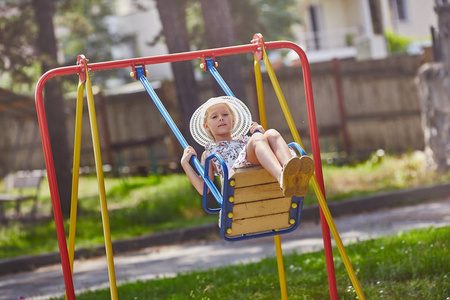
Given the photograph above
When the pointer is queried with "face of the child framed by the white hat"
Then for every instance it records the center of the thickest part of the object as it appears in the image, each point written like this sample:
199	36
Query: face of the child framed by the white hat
219	121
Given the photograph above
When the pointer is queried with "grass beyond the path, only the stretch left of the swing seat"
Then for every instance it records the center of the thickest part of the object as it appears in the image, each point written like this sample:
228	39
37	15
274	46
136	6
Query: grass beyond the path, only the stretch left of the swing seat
137	206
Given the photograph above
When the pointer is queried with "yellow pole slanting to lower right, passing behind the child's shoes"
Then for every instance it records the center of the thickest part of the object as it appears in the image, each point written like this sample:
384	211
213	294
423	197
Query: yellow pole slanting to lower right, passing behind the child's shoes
318	191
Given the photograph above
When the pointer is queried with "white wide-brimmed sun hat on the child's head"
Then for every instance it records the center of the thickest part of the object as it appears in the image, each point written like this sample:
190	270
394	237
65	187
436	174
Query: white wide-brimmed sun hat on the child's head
242	119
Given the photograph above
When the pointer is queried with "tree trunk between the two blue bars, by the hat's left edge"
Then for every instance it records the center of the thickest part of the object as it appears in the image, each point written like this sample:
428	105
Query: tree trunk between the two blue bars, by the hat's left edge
173	19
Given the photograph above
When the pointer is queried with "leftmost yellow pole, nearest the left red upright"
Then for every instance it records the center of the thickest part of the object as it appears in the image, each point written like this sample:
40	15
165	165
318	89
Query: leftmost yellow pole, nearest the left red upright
75	175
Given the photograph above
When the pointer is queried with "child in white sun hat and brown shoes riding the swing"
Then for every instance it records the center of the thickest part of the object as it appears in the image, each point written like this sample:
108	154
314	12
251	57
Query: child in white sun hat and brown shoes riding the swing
220	125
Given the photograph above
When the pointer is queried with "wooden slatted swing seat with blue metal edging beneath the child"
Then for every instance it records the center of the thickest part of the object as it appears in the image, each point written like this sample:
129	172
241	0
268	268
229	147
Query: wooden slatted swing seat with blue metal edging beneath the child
255	206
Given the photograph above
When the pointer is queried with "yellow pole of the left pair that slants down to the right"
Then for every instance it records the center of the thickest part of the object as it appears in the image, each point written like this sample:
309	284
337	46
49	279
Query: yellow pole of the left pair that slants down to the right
101	187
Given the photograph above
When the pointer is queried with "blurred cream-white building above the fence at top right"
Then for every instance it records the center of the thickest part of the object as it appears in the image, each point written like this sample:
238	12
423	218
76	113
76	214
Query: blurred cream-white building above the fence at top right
345	28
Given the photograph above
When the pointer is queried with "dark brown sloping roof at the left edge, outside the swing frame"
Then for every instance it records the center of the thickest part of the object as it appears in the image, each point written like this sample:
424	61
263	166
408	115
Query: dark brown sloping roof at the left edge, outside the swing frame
17	106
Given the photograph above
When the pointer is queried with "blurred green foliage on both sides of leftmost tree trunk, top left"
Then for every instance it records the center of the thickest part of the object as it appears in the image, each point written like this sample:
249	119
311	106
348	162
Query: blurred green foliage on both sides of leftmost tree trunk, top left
84	30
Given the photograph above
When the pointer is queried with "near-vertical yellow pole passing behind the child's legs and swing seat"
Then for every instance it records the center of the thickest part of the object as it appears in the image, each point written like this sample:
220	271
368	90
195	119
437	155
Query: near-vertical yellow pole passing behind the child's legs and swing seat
277	239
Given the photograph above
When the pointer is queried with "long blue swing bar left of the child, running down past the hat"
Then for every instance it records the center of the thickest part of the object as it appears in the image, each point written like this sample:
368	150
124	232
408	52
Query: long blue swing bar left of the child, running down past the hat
140	73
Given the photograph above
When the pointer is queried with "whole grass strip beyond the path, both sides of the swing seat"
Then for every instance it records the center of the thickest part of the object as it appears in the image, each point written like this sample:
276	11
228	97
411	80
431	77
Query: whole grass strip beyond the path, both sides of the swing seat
143	205
